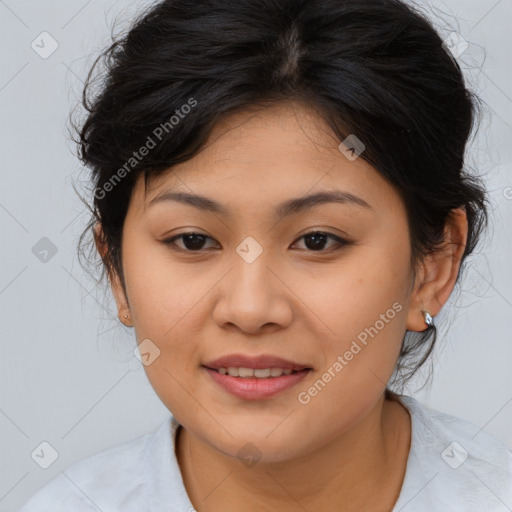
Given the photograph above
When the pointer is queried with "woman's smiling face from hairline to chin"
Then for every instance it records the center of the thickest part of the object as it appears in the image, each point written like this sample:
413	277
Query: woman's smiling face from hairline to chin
323	285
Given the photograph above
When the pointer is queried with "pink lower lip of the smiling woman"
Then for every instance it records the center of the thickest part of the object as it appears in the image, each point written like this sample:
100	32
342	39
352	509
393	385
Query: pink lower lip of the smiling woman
256	389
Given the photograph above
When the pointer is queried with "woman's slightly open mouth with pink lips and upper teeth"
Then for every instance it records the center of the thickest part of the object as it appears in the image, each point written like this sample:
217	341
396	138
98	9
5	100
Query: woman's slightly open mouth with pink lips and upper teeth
255	378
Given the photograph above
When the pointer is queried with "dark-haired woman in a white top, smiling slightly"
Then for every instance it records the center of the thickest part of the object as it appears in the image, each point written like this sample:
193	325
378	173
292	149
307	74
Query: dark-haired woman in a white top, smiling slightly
281	208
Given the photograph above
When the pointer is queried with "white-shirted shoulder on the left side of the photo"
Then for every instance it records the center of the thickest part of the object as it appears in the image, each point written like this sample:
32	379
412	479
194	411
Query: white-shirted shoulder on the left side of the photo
113	479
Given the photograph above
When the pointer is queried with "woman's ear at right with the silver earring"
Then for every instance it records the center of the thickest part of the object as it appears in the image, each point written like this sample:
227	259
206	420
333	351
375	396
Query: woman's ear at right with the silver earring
438	272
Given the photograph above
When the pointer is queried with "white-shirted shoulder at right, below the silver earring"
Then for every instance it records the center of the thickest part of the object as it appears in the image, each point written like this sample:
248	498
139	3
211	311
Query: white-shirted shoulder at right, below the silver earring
453	463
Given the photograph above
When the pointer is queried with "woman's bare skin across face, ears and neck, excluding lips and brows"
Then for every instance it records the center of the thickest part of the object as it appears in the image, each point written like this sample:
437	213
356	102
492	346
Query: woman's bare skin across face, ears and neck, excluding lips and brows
345	450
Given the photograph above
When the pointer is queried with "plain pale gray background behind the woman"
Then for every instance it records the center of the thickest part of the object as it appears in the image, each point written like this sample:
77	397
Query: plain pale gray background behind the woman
68	375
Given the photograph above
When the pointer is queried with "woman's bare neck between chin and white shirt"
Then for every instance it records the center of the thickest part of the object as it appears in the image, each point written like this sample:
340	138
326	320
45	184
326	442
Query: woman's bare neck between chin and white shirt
360	469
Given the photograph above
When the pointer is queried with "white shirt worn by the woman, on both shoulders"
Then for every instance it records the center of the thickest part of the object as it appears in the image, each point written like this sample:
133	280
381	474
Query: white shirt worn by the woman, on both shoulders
453	466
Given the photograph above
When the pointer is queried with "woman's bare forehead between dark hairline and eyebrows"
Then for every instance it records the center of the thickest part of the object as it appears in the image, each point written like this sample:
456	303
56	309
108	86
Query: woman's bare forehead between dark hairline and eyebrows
268	155
